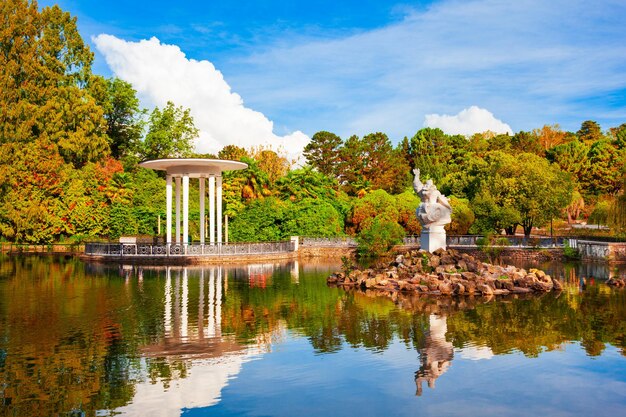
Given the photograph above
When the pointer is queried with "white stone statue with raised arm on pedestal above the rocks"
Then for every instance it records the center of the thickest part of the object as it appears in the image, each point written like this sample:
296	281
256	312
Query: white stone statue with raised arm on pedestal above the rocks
433	213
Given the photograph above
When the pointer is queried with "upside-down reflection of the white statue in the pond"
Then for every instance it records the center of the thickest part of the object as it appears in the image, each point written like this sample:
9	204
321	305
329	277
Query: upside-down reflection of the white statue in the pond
436	355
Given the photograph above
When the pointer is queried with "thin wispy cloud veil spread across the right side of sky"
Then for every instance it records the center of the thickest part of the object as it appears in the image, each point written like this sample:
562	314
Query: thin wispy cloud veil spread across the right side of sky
534	62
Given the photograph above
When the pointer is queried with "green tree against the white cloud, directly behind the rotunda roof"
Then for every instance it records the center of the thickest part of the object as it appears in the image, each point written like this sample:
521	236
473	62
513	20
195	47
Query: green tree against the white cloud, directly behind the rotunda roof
171	133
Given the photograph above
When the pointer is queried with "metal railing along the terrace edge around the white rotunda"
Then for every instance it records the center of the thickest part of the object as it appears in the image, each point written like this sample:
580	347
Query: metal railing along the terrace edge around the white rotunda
192	249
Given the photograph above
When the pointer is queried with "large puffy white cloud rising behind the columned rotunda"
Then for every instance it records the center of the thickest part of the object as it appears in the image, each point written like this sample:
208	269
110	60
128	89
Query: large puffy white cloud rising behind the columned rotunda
162	73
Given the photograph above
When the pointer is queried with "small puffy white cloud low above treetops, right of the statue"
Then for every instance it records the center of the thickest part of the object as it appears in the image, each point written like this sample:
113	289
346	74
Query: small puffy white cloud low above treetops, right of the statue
467	122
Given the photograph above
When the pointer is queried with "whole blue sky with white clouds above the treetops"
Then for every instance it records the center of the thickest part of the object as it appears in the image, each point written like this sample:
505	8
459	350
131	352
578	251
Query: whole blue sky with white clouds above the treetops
275	72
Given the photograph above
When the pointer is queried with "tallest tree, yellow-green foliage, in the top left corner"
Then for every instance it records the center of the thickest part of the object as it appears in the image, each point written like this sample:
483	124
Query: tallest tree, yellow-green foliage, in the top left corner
44	68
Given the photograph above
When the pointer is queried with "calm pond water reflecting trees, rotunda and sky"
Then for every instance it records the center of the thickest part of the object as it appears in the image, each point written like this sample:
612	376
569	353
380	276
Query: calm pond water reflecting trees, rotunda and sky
273	340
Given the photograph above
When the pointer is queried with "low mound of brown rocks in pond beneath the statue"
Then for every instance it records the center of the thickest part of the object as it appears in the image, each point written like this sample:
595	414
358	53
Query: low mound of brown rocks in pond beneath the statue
447	273
